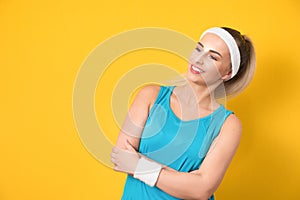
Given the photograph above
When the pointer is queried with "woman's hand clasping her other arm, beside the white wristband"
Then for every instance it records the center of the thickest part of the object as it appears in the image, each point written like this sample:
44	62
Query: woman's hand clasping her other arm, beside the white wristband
125	160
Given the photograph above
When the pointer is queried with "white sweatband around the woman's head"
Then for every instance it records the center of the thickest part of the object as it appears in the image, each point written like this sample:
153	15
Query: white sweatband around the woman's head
231	44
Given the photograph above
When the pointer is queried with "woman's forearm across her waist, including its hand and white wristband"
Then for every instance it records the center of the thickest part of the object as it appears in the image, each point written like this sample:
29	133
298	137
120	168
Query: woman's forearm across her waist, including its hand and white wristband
183	185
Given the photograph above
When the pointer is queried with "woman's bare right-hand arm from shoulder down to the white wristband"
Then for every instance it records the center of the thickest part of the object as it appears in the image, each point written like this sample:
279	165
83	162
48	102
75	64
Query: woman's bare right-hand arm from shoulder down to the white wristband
202	183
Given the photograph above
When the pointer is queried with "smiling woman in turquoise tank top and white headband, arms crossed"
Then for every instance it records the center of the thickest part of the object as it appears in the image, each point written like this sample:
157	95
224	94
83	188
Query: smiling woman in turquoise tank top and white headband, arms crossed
178	141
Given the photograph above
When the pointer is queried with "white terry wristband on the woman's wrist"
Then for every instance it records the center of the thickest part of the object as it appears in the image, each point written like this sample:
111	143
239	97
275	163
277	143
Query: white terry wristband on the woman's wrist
147	171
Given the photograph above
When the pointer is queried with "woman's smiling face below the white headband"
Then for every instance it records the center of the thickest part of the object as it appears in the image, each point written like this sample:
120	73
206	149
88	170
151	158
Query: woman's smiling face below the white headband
209	62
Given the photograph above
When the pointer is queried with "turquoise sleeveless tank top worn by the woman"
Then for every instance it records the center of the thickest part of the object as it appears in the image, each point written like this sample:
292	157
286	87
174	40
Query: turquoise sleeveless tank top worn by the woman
179	144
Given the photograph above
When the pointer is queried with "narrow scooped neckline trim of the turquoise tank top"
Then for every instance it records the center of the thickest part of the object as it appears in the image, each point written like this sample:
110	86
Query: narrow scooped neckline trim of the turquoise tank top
187	121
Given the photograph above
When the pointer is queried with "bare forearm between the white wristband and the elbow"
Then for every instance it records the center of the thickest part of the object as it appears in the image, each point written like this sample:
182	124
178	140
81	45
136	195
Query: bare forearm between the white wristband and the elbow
182	184
